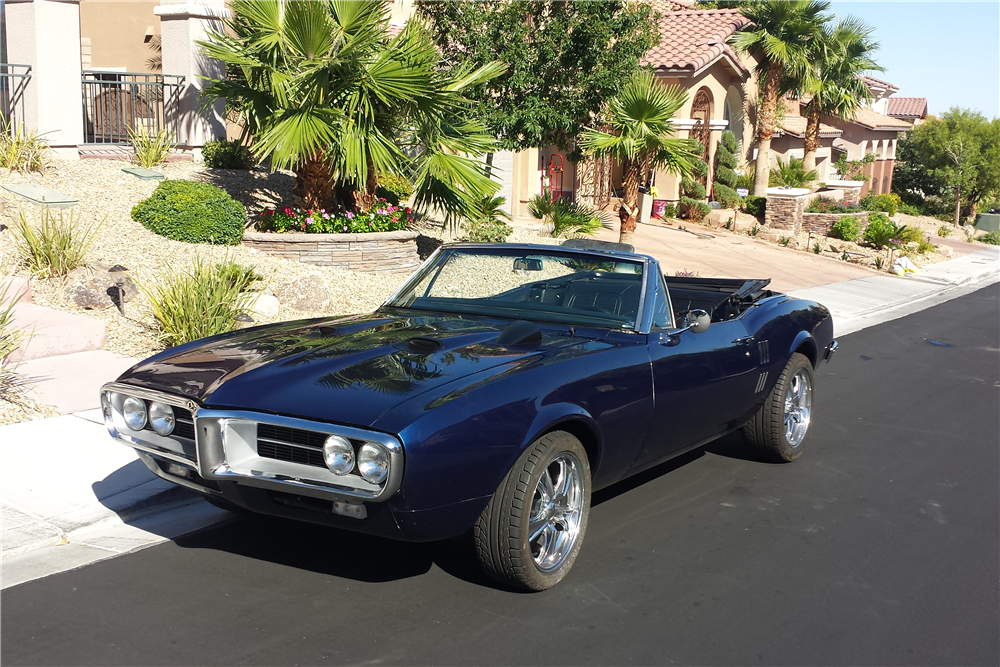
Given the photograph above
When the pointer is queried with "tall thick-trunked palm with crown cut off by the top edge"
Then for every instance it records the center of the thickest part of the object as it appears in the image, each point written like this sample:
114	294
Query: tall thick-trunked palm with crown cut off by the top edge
780	36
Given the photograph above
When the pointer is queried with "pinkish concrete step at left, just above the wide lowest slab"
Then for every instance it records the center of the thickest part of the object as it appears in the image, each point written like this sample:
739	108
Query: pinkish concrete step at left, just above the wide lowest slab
55	332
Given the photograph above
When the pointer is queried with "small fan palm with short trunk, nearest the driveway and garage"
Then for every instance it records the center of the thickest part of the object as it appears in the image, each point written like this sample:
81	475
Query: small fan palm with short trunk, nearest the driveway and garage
642	136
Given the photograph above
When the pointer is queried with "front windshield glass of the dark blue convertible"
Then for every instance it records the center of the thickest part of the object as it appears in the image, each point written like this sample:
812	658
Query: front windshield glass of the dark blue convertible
529	283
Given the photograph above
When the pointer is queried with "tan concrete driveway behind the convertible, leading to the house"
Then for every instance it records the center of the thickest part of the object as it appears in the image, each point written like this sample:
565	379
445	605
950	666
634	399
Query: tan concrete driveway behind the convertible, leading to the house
736	256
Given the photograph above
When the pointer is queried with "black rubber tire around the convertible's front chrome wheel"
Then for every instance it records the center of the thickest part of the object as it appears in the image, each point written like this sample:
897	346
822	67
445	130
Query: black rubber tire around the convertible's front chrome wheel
501	532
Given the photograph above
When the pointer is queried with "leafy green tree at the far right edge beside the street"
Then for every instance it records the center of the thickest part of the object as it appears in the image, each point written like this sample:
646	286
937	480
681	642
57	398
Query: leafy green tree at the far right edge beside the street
957	155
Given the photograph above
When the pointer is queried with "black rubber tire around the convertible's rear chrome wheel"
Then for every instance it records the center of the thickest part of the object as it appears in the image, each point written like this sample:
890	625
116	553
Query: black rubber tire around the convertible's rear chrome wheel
766	431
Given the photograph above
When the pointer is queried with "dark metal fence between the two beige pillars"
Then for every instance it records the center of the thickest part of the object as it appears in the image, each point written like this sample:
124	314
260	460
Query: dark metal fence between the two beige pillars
116	102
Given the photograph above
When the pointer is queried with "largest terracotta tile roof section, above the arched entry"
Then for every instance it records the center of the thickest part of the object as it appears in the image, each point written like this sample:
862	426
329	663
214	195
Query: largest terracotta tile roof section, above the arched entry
693	40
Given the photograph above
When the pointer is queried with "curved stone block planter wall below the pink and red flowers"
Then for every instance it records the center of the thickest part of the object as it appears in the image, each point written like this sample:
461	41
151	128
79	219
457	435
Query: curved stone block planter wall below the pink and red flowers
383	252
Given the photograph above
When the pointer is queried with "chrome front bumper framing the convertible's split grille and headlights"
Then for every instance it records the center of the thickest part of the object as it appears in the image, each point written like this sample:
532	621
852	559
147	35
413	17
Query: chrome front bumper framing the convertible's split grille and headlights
224	449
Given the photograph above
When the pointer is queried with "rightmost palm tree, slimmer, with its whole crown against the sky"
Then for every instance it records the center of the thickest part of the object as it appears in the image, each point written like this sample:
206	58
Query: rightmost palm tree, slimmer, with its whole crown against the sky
839	59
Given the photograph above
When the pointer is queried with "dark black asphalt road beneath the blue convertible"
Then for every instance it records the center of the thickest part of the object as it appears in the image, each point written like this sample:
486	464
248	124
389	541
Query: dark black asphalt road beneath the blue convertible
879	546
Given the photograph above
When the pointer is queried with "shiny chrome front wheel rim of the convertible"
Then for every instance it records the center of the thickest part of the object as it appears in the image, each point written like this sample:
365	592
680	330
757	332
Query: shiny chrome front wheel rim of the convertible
556	512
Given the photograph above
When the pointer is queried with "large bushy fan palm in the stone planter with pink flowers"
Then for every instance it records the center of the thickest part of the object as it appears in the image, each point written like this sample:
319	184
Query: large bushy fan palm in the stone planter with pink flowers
325	91
